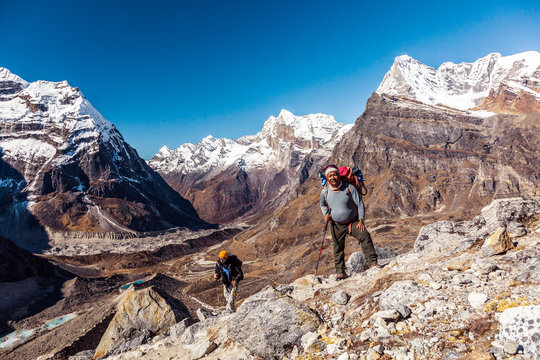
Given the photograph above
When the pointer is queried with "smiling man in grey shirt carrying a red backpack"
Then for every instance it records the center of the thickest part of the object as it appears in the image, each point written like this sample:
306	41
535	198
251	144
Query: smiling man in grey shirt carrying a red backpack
342	206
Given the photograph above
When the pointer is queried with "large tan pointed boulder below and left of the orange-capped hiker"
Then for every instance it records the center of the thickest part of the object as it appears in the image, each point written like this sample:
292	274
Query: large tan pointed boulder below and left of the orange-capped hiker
141	315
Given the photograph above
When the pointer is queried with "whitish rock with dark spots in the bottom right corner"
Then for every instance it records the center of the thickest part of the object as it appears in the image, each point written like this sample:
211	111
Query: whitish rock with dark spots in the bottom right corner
522	324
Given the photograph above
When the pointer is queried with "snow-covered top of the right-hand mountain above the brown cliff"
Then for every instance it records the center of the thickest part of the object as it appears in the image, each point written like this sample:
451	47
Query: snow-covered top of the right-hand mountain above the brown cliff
466	86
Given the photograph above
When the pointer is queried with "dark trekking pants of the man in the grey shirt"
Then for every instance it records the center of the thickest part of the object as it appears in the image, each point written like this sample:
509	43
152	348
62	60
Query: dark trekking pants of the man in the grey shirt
339	233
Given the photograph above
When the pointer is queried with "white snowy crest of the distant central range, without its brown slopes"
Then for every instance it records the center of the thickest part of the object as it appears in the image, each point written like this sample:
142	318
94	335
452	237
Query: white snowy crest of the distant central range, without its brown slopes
270	148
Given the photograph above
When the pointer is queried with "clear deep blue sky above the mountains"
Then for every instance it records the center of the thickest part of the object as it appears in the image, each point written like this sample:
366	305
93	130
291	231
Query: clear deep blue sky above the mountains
170	72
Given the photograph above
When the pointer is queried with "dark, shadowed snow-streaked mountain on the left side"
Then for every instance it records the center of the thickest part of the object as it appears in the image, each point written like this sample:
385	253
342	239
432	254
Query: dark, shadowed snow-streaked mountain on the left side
65	167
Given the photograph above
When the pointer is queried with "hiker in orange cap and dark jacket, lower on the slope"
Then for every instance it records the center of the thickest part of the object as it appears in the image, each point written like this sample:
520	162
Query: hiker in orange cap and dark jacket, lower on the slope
229	269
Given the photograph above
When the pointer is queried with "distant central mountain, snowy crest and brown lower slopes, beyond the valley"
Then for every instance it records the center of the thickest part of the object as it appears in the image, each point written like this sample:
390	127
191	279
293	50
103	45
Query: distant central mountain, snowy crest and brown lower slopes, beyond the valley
268	165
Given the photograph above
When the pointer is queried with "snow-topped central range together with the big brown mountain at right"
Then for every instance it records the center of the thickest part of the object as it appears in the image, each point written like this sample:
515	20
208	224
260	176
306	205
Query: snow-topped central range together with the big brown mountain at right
449	140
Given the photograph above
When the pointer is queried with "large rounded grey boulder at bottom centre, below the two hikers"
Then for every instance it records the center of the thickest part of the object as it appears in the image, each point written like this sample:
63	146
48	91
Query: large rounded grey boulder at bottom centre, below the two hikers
268	323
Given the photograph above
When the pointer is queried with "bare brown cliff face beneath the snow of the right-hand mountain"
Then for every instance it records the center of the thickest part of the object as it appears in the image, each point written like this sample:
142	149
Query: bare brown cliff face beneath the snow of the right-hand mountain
420	159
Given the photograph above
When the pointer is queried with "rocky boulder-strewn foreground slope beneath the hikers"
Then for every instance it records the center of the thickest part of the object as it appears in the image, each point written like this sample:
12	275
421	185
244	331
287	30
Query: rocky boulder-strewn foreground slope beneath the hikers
468	290
